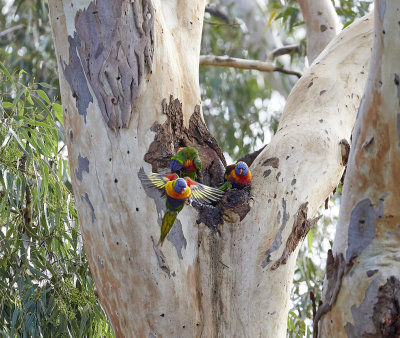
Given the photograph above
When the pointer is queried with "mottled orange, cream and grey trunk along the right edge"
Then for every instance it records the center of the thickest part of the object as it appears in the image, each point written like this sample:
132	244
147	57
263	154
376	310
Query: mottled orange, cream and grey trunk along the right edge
368	238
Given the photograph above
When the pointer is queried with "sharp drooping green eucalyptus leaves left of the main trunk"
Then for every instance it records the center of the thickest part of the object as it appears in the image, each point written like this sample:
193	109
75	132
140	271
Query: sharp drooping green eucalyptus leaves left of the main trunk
45	285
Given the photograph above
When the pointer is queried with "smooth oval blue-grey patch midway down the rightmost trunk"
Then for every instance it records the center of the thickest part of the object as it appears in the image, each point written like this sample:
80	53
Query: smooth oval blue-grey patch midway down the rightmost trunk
361	228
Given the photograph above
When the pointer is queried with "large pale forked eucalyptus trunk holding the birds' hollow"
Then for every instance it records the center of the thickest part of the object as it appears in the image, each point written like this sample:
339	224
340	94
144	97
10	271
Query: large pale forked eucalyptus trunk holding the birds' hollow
129	82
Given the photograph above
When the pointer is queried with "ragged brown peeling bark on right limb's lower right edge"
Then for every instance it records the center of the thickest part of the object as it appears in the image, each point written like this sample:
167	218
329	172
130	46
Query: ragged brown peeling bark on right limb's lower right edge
300	229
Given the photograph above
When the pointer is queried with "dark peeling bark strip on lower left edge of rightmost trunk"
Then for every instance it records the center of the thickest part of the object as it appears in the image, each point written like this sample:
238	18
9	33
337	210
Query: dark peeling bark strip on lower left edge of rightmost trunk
335	269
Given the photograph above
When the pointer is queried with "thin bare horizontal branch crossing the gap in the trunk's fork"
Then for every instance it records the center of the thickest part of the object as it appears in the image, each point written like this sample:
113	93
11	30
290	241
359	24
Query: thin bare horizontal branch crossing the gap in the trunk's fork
226	61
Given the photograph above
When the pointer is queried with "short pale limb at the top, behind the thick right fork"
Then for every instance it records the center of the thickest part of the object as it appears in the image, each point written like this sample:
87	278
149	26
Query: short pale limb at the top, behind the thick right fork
322	25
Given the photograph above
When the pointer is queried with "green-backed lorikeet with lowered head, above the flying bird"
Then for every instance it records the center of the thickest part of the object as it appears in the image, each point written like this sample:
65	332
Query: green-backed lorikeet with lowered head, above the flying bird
187	161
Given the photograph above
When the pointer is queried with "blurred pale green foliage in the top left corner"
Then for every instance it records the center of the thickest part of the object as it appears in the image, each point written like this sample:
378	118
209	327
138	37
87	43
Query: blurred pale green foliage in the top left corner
26	42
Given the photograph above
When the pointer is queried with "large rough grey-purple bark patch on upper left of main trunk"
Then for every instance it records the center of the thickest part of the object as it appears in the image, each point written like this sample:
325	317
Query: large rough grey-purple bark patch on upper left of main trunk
113	49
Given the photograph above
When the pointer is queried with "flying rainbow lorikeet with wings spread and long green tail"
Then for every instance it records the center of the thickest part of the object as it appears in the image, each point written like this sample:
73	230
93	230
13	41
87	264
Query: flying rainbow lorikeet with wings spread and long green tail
178	191
